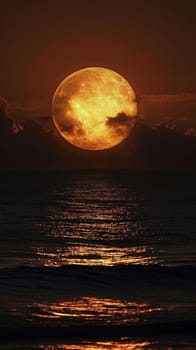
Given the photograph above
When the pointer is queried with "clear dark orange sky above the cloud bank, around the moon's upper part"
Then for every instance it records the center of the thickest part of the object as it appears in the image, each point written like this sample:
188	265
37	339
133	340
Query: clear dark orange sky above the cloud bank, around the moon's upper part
151	43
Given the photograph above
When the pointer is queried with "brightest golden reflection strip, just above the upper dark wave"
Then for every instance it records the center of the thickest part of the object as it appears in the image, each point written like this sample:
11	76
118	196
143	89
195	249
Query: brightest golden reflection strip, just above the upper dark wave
88	254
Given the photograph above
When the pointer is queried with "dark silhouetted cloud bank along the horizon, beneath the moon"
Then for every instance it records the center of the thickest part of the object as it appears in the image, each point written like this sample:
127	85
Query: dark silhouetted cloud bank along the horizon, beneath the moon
27	146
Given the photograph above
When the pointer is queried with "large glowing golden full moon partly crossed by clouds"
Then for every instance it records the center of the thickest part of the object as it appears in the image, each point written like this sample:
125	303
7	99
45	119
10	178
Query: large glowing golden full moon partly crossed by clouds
94	108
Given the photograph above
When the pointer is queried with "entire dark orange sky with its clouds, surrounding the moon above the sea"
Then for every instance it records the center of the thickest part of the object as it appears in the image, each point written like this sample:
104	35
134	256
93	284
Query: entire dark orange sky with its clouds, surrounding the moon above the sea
150	43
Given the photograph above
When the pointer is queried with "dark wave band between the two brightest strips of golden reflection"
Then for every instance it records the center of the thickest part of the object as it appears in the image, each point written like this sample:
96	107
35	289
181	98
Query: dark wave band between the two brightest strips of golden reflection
98	274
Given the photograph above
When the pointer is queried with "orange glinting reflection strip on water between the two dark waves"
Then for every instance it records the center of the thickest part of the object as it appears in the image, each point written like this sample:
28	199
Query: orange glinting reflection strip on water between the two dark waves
95	310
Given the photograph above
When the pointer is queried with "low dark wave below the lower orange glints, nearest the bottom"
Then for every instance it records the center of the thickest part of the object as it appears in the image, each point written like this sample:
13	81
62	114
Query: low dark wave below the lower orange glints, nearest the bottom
93	331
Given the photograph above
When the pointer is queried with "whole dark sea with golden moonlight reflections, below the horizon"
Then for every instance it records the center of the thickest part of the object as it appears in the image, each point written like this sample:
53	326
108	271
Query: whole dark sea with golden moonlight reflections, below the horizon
98	260
